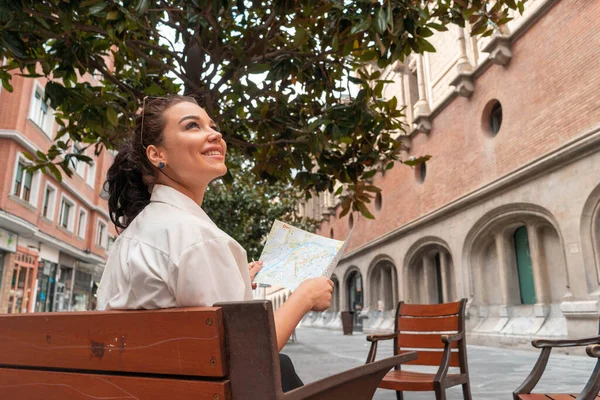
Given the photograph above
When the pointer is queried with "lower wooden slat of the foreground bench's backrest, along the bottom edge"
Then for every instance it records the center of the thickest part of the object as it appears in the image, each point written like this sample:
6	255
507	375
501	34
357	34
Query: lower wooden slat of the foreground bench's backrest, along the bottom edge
47	385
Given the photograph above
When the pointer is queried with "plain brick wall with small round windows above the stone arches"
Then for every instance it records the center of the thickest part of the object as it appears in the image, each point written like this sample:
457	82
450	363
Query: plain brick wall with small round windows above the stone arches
549	94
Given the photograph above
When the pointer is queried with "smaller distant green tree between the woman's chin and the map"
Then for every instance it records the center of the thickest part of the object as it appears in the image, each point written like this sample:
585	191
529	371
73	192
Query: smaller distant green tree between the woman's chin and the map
246	209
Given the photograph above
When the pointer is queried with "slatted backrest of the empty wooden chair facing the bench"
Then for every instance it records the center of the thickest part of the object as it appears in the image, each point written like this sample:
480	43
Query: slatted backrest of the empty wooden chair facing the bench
421	327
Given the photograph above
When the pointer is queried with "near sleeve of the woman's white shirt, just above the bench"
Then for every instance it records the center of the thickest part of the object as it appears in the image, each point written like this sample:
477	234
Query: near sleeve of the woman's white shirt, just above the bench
207	273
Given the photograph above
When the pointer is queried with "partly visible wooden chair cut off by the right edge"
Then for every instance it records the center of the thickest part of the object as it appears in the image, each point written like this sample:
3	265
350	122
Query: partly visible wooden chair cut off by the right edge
591	389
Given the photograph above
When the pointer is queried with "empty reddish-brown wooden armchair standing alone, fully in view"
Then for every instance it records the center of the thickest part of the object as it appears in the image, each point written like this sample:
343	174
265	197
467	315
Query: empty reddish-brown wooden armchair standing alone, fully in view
438	331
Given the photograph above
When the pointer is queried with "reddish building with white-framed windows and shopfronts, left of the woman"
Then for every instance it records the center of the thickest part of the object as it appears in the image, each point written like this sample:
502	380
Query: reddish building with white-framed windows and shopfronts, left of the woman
53	235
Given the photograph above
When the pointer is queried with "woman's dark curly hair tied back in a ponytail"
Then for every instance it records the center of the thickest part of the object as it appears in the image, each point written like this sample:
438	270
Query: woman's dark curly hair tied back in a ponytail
131	175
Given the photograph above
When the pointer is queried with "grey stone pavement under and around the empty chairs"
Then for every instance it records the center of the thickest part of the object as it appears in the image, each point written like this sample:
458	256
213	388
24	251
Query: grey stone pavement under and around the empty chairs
495	372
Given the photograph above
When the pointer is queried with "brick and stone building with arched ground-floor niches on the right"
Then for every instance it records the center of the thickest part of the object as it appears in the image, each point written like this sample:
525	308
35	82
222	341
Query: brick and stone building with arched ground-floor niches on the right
506	213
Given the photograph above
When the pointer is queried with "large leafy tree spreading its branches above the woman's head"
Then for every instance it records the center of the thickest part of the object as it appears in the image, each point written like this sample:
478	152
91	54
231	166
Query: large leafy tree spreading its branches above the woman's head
273	74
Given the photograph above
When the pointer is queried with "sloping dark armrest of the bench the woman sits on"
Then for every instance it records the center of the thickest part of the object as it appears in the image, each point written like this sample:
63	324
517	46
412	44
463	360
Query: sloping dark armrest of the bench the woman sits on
357	383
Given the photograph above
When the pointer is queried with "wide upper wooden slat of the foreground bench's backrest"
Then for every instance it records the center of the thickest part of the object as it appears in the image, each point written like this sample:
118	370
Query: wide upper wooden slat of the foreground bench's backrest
184	341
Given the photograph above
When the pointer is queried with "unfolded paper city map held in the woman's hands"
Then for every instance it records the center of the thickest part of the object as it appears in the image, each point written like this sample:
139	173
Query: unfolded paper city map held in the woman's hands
292	255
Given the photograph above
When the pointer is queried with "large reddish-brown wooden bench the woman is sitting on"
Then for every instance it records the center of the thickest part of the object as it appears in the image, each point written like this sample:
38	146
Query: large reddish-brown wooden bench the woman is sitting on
214	353
